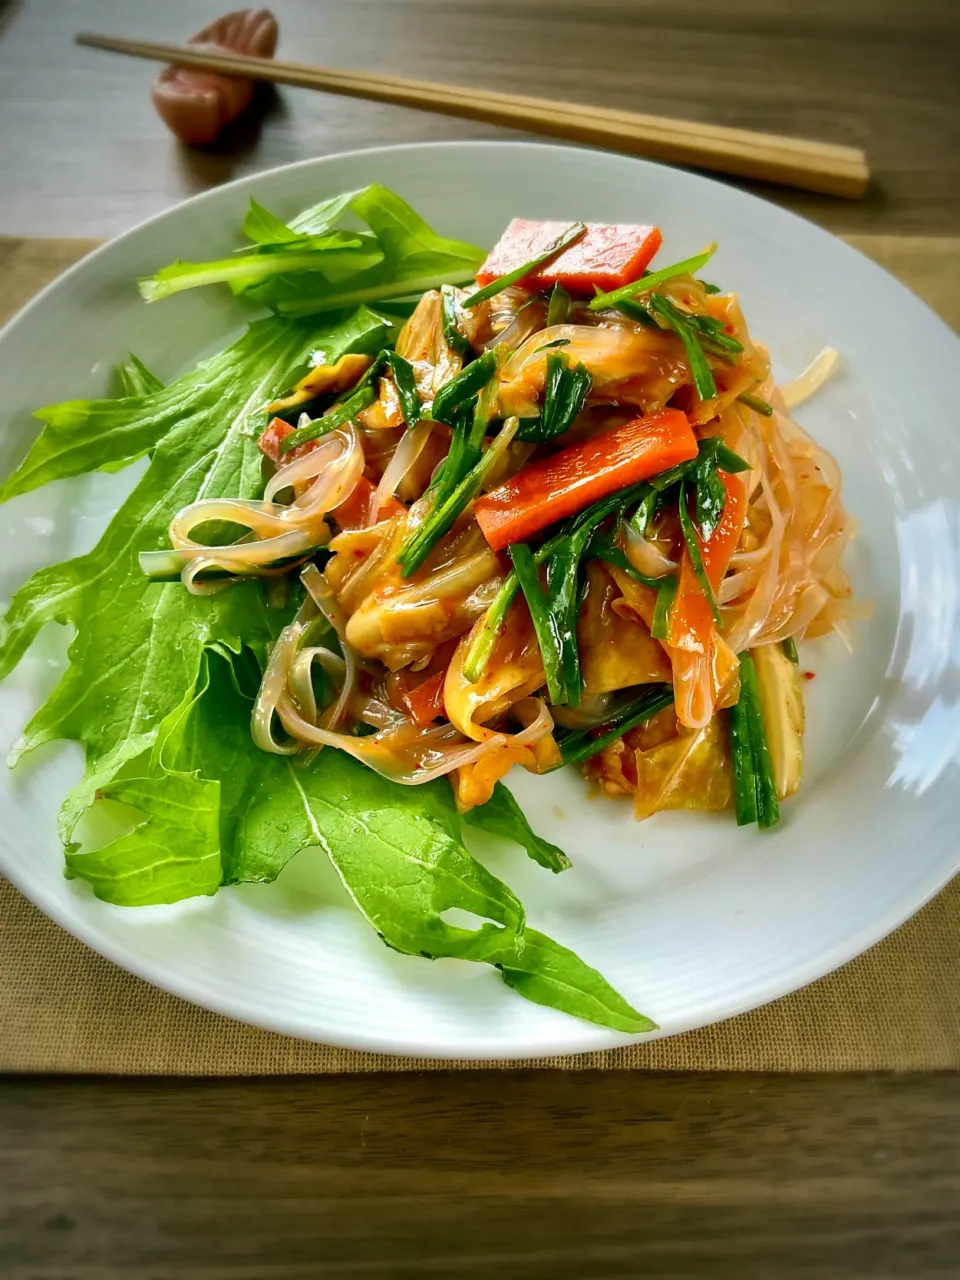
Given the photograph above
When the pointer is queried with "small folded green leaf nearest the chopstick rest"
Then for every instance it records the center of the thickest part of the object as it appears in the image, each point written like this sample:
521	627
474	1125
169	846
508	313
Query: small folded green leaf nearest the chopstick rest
308	267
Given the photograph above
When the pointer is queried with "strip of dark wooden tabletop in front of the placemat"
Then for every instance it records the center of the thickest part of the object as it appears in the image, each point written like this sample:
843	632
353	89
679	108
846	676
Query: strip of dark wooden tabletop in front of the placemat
569	1177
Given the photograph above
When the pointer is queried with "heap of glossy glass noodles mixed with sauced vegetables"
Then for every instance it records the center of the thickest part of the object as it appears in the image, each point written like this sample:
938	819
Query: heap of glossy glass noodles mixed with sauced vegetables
461	666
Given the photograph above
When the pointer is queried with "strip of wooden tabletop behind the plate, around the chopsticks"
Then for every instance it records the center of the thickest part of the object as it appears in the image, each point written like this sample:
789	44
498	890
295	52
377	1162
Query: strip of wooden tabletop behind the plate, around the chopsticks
83	153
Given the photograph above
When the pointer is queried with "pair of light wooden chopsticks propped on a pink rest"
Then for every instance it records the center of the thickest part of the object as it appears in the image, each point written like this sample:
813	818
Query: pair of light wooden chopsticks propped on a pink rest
822	167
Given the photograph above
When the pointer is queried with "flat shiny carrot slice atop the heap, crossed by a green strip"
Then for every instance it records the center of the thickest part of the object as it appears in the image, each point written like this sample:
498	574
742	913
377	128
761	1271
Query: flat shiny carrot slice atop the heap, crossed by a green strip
604	258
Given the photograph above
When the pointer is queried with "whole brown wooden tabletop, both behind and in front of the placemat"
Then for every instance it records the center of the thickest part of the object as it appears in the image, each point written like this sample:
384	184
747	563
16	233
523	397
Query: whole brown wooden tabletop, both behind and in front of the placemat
527	1174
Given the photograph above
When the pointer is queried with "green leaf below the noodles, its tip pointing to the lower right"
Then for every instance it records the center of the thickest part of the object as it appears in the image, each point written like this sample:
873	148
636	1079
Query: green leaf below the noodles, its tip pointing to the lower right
397	851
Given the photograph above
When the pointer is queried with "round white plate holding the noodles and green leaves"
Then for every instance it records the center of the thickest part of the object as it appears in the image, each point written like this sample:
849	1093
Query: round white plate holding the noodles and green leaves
691	918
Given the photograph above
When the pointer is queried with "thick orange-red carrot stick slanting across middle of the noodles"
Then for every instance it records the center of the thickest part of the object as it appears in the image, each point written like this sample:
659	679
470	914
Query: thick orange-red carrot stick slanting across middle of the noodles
573	479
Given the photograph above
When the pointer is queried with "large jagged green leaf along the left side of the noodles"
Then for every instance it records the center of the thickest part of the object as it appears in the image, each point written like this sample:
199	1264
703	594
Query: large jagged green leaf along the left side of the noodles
139	644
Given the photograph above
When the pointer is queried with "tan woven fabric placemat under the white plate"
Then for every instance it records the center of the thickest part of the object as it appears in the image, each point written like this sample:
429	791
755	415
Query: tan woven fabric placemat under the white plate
898	1008
